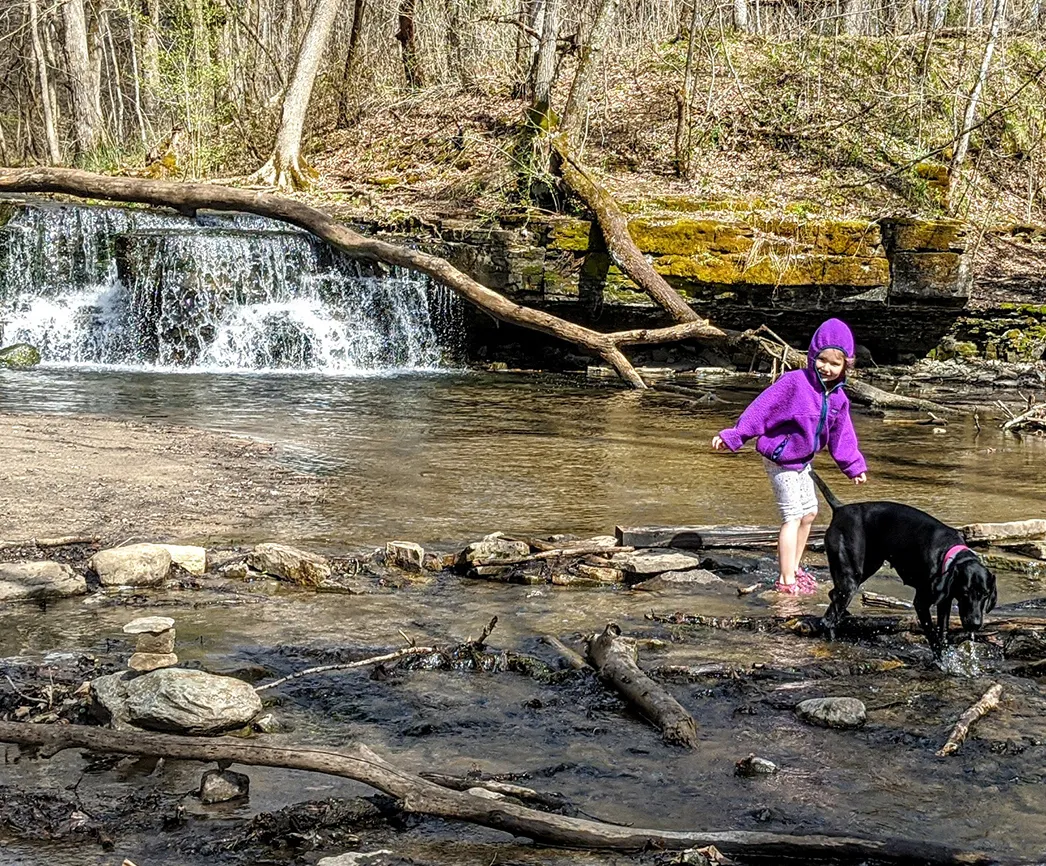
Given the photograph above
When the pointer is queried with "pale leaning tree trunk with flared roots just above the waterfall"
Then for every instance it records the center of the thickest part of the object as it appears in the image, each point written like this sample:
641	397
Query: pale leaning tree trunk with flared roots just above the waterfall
286	168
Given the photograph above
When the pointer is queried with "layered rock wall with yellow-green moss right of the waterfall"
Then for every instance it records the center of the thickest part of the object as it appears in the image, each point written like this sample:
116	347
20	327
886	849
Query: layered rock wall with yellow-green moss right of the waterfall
902	284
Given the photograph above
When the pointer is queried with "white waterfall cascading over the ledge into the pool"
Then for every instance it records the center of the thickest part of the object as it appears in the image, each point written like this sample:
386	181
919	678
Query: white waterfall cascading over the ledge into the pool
134	288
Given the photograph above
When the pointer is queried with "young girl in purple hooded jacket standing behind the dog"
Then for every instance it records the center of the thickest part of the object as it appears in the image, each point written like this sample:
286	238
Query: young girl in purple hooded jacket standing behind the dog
795	418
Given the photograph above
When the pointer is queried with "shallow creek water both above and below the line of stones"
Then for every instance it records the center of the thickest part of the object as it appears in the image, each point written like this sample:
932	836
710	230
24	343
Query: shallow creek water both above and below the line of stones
445	459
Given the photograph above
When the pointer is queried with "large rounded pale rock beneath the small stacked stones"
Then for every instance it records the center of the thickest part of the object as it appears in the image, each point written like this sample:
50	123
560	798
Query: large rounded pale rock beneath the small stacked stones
181	701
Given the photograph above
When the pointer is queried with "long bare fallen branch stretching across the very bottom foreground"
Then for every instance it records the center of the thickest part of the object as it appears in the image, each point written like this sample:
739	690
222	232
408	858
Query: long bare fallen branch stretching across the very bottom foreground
420	796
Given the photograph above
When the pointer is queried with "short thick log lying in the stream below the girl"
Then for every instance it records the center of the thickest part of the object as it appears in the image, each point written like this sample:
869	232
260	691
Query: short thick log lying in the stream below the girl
615	658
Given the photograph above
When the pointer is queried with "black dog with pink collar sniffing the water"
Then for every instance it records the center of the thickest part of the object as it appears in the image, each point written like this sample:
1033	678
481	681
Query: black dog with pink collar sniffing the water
926	554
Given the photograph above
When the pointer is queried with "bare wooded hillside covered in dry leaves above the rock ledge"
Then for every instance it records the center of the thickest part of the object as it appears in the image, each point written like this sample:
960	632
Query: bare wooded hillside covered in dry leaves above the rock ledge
418	108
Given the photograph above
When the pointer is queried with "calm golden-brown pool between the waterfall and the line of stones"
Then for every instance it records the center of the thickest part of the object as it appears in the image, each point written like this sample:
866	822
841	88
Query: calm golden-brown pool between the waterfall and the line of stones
444	458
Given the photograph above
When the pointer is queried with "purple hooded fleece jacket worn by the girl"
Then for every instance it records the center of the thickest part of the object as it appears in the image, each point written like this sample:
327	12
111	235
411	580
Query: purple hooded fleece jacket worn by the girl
798	416
